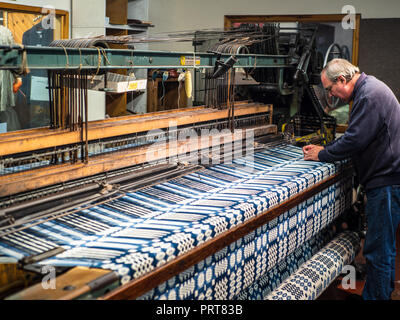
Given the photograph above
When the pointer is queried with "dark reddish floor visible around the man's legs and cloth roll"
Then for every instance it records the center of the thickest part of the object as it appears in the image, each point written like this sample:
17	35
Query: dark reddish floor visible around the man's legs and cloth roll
336	292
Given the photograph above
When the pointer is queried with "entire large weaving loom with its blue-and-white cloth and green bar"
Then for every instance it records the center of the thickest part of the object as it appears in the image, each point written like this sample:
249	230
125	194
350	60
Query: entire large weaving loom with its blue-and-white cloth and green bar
150	207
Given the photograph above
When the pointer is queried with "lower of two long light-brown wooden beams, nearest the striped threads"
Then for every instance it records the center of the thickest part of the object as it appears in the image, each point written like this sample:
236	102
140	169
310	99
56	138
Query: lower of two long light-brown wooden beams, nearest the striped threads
30	180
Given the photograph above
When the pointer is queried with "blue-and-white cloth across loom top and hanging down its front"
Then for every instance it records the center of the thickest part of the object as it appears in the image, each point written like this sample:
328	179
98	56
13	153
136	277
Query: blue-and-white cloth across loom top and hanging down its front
147	228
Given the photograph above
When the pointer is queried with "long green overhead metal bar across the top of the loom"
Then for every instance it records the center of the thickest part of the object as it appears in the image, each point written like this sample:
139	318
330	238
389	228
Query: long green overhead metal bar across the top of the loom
23	58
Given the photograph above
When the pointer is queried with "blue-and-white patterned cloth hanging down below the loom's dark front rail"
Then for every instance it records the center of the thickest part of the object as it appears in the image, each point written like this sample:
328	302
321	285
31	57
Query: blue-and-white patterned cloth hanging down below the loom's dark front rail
259	261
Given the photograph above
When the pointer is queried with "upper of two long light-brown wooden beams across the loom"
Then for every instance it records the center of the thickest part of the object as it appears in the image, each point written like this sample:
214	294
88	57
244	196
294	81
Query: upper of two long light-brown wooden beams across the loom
42	138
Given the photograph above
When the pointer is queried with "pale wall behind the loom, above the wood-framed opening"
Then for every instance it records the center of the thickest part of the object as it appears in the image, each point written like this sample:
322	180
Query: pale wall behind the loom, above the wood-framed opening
178	15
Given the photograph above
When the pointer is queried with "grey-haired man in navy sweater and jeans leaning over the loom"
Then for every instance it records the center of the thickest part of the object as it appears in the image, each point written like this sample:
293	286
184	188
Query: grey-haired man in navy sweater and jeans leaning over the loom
372	140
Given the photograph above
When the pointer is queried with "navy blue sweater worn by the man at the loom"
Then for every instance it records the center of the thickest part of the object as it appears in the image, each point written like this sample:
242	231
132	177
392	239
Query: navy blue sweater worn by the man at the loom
372	138
